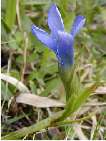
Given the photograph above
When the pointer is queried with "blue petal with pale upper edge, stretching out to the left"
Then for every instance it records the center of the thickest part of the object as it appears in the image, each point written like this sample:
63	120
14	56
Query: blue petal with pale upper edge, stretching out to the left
44	37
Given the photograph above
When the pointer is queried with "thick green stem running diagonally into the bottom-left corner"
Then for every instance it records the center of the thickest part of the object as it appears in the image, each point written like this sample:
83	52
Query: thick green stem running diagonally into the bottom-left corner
33	128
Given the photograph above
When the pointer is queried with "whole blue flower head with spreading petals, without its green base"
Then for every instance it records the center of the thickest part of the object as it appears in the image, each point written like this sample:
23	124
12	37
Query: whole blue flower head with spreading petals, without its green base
60	42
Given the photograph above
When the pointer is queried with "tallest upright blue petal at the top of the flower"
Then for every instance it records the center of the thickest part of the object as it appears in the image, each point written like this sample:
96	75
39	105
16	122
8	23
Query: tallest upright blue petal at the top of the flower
55	21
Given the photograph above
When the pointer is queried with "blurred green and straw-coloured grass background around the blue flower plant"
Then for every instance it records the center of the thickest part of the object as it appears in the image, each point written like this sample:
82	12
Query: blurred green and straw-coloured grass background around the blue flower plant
30	62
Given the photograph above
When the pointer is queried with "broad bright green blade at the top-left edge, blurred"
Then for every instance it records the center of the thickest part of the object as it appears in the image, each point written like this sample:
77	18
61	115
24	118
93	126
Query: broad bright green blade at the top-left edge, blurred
10	13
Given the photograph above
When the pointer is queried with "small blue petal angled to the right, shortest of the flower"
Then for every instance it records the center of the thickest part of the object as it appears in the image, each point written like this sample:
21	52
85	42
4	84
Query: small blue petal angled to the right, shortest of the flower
77	25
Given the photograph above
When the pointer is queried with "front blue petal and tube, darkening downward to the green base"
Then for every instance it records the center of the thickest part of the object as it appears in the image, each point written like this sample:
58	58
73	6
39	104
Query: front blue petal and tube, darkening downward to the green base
65	51
